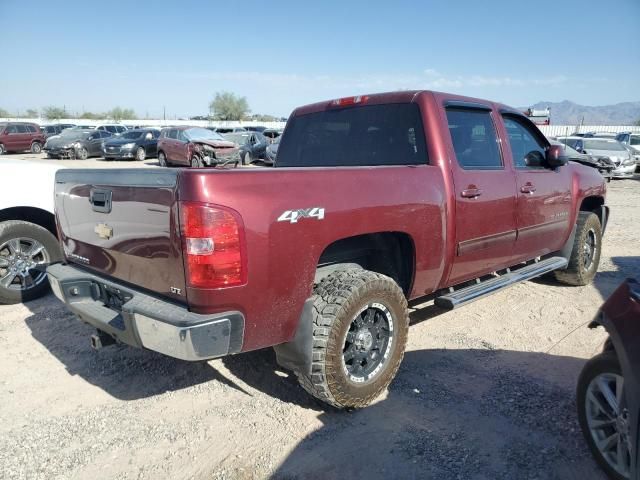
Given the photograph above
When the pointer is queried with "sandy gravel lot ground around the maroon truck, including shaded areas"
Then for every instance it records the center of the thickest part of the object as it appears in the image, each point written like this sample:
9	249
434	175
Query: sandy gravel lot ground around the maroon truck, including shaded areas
484	392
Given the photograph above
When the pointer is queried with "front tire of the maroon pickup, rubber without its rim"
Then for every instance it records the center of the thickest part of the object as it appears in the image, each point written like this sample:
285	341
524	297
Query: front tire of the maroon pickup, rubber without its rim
576	273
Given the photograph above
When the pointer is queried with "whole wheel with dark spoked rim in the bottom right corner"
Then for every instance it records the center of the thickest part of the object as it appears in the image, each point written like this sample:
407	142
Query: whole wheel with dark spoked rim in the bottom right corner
603	417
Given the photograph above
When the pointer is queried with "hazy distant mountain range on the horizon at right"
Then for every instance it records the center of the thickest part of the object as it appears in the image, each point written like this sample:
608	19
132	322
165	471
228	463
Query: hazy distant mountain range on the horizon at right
569	113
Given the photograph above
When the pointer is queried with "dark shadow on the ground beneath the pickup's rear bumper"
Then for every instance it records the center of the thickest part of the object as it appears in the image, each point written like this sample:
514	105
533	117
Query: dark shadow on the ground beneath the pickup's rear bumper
123	372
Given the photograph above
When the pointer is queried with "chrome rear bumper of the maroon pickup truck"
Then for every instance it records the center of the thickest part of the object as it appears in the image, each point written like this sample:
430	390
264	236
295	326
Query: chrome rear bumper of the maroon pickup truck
143	321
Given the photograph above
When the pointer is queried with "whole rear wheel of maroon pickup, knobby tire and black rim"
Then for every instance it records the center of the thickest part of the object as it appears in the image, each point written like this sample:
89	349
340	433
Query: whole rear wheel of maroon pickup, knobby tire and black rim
360	325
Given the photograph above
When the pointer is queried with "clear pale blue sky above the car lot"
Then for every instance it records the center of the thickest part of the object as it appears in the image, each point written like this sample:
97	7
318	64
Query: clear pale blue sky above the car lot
175	55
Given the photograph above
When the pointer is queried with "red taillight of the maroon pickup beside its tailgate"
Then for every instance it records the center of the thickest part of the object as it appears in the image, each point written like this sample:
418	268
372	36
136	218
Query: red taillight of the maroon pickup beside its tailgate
213	245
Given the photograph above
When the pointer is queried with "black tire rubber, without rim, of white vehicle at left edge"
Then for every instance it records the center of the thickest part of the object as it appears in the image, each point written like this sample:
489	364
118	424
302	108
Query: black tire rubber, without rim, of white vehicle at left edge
17	229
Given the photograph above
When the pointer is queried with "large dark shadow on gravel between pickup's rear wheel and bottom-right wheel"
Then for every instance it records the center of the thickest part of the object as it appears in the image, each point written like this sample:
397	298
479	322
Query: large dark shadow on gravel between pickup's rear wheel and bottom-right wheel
459	414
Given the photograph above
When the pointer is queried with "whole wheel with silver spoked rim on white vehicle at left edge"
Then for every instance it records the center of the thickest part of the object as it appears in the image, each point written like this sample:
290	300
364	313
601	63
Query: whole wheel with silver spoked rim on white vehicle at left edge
25	251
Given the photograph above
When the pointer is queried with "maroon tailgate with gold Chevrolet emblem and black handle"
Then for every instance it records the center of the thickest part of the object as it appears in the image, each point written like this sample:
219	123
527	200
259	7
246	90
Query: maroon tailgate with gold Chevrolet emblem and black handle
123	224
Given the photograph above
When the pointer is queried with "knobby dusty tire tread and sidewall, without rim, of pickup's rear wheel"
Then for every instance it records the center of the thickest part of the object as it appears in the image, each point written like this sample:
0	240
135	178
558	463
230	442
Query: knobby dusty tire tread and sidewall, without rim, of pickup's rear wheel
337	300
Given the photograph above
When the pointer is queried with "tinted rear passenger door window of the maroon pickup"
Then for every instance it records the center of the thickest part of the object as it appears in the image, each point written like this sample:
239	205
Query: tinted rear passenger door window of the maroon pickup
474	139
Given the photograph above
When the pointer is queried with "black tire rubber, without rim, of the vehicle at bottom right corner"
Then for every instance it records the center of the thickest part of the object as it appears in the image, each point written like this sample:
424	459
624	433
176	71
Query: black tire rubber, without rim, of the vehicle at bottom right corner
606	362
